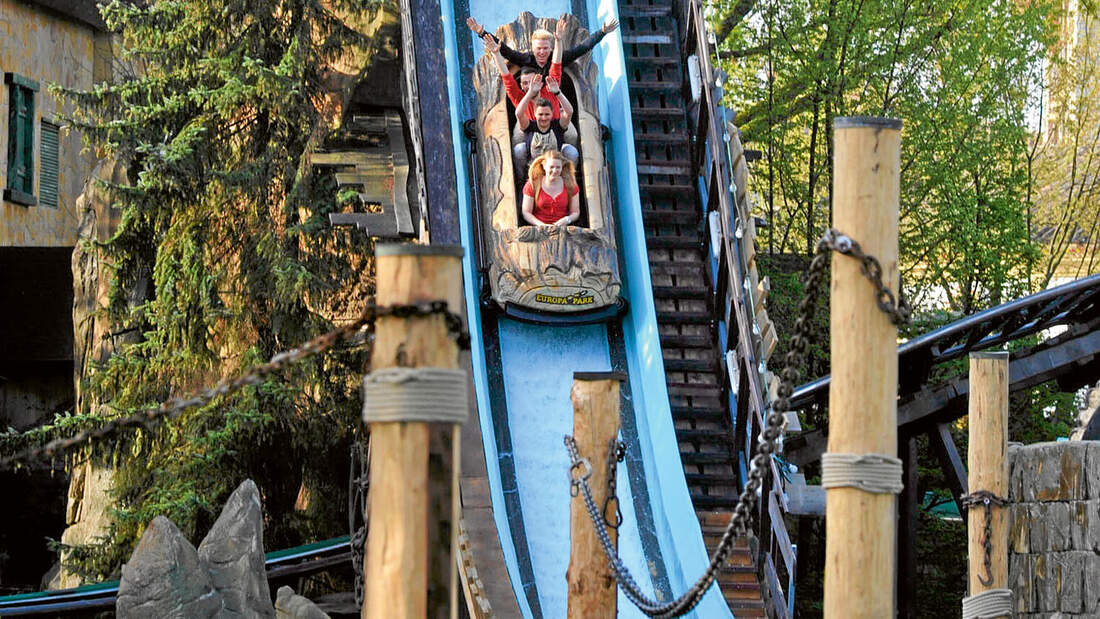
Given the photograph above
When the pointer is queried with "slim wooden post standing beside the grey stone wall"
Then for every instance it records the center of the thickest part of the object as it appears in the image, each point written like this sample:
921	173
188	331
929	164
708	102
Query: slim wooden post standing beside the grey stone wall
989	468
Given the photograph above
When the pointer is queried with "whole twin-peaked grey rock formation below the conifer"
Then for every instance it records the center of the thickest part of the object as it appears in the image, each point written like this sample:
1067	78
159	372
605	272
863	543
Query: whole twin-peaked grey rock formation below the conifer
226	579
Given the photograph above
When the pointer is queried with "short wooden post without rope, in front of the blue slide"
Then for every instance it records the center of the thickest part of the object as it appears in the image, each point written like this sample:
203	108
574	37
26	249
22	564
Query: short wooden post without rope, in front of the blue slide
592	590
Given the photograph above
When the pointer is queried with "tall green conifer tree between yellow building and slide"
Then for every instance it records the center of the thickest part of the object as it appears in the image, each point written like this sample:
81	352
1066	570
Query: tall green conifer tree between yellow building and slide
222	259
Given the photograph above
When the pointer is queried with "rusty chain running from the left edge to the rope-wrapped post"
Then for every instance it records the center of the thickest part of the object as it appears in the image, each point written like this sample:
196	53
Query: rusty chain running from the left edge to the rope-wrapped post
173	407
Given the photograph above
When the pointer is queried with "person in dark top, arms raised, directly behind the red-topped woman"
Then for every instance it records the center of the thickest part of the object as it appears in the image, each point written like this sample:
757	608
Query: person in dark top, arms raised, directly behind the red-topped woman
544	132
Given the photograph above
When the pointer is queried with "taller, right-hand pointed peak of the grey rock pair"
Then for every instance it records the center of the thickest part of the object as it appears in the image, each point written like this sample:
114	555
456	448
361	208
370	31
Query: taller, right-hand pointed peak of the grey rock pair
234	552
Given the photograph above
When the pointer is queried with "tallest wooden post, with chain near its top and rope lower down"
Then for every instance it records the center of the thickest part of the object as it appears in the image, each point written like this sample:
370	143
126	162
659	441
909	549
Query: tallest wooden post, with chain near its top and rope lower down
860	530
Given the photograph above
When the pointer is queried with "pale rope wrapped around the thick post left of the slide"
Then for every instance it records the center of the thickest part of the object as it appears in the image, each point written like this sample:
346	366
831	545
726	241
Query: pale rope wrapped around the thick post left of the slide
434	395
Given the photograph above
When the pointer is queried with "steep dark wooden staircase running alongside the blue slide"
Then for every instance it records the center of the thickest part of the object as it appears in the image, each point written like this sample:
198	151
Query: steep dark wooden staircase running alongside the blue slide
681	280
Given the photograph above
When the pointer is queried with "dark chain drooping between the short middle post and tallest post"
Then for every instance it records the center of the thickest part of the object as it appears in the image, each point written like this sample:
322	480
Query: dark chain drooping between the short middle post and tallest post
768	443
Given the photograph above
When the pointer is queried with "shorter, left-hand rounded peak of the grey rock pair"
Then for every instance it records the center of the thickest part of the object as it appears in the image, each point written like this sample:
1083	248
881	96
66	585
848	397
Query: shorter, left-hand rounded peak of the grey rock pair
166	579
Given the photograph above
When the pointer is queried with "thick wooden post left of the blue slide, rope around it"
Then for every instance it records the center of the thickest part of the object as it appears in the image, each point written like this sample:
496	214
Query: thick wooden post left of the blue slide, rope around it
410	565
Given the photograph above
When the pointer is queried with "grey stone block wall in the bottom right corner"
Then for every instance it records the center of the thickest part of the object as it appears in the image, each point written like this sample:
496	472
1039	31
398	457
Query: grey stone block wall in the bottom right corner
1054	529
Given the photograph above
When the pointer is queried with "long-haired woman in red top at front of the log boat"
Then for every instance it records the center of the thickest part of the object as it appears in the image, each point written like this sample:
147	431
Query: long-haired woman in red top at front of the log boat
552	196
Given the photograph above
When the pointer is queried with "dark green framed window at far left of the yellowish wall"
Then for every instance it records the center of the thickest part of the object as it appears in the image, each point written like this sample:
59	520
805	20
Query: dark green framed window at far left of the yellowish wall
20	187
